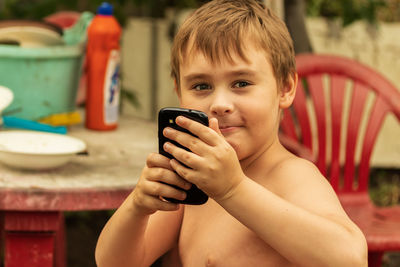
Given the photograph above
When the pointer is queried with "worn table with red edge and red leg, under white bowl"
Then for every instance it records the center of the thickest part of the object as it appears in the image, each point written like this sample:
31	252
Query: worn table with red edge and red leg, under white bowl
32	202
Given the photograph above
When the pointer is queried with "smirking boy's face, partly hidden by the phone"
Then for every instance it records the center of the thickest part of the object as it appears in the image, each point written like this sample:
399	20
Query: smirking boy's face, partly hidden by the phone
242	95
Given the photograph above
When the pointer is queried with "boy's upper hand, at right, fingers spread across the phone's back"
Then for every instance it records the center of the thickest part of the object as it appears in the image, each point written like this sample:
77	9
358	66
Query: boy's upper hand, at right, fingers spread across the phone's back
214	166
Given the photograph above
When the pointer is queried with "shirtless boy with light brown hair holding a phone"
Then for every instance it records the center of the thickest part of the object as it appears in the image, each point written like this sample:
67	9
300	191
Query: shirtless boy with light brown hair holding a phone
233	60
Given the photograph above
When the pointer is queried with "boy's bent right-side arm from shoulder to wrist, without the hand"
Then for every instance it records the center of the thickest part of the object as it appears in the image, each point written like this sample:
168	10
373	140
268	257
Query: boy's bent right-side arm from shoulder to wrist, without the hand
307	225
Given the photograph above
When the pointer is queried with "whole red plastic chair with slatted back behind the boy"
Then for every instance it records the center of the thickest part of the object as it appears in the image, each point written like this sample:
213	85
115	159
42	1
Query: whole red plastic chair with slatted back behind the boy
335	97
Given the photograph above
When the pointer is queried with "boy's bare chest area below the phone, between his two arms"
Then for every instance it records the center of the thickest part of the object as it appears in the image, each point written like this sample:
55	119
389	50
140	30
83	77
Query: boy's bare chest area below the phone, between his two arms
212	237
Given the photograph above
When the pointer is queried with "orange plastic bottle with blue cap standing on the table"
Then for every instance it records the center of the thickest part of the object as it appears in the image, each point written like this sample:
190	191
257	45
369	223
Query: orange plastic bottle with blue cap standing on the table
103	64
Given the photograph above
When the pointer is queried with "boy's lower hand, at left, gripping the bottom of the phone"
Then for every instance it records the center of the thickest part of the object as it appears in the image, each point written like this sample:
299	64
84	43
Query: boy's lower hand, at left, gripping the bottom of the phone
153	183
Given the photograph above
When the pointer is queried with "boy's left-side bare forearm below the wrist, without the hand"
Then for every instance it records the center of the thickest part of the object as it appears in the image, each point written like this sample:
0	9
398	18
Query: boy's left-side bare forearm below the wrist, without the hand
130	239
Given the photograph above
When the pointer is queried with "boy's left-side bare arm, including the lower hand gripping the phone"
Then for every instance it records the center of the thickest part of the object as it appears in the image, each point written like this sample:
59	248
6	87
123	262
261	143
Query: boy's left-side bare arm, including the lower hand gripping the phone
145	226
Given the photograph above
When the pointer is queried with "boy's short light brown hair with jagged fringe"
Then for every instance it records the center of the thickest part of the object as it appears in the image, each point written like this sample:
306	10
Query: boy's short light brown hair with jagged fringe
221	27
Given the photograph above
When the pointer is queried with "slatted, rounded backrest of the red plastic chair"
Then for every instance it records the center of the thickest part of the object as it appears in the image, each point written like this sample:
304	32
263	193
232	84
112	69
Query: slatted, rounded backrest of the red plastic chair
338	110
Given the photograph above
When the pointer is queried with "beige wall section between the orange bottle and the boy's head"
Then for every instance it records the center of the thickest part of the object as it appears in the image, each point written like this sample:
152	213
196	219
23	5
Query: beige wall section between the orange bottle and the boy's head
145	71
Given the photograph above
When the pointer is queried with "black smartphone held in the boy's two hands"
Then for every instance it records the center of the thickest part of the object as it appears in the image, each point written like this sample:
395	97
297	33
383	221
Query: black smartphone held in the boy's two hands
166	118
